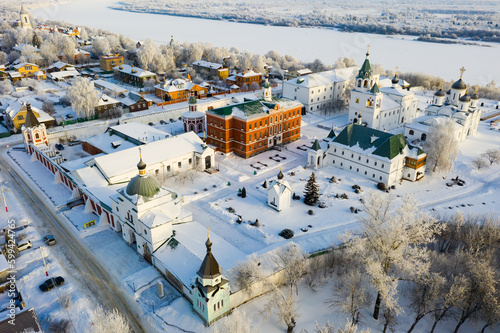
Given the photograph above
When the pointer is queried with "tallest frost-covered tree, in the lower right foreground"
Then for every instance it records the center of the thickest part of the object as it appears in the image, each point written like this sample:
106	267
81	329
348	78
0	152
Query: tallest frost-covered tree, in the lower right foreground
391	245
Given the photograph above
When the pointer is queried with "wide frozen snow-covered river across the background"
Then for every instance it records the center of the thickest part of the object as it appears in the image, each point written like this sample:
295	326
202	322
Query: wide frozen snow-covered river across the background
444	60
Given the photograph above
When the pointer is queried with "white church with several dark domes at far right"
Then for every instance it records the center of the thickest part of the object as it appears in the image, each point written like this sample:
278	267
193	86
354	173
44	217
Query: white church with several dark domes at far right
456	104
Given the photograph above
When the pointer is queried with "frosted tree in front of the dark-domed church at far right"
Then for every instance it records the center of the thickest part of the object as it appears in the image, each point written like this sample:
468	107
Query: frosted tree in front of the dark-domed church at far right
441	146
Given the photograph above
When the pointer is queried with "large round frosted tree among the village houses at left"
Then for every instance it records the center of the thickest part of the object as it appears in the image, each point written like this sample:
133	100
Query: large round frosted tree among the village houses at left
83	97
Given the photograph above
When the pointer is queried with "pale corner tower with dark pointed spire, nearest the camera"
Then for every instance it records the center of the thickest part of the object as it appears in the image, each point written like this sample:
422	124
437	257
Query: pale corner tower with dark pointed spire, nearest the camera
210	290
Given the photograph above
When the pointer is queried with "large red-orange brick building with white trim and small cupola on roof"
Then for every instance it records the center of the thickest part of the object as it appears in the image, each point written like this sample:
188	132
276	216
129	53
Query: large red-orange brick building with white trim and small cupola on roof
251	127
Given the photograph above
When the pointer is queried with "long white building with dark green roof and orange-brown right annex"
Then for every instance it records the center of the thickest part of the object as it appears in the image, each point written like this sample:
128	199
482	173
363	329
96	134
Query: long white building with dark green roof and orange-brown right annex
376	155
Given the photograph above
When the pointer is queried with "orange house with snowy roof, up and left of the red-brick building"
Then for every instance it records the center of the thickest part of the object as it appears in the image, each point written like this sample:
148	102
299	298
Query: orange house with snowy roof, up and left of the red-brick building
179	90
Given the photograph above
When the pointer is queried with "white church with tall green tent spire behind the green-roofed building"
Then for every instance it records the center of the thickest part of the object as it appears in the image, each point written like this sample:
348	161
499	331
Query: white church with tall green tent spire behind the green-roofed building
381	108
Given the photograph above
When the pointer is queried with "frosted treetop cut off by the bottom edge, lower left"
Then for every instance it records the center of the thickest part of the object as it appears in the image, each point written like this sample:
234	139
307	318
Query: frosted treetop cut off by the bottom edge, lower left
108	321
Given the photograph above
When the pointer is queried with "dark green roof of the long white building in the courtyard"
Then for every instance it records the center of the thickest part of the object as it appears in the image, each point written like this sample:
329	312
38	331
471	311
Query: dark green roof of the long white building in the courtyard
385	144
